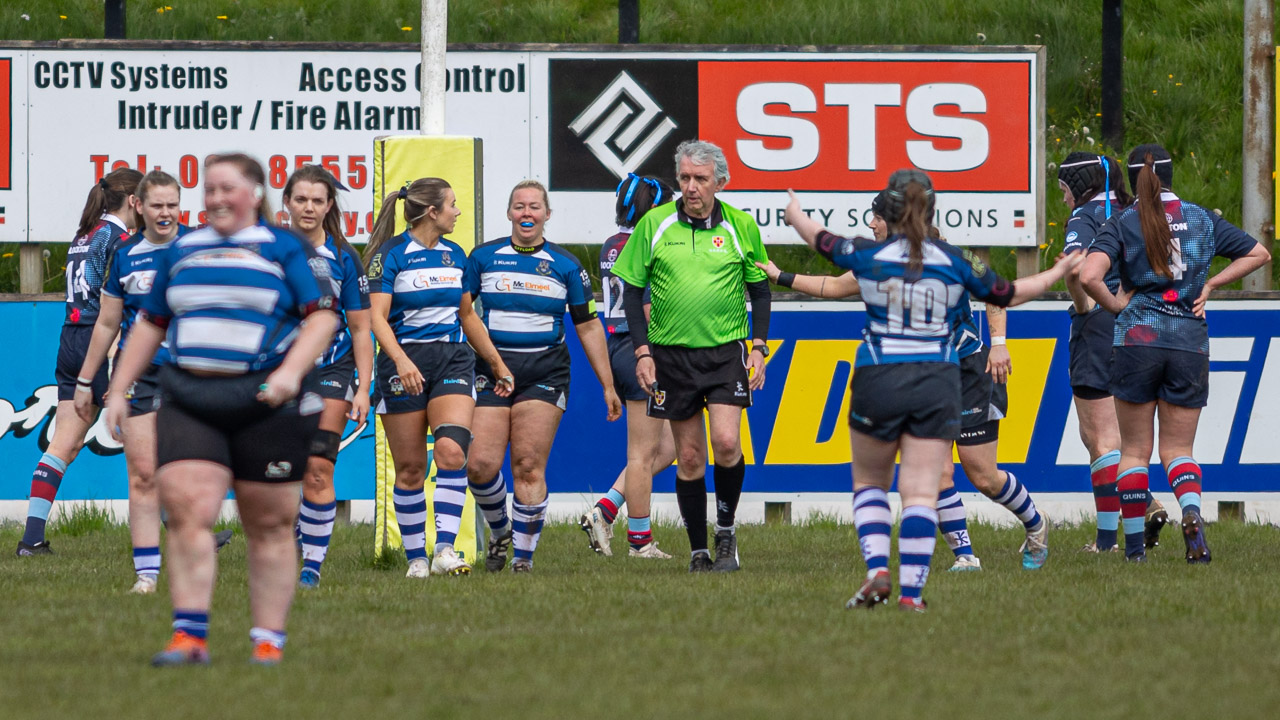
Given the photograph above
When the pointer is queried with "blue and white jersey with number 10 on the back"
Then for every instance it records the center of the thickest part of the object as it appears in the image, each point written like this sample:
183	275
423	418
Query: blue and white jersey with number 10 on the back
913	320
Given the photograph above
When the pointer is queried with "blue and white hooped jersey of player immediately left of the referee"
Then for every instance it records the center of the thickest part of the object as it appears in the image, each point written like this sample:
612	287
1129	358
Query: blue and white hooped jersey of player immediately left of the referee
527	293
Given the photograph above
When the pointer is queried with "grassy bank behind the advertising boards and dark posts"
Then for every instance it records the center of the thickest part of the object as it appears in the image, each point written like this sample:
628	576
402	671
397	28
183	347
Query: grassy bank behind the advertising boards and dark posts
1183	76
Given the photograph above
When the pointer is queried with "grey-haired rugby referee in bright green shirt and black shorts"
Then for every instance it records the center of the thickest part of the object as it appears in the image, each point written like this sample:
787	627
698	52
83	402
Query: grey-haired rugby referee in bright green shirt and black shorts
698	257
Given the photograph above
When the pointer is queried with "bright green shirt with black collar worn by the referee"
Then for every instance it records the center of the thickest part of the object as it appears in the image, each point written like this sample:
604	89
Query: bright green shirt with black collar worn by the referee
697	271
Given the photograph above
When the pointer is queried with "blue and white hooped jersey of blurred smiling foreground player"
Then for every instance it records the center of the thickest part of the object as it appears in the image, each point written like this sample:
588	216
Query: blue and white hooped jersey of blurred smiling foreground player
235	304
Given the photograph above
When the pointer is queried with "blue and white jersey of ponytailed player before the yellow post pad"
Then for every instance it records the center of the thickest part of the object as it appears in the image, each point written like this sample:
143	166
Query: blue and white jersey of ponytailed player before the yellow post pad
427	286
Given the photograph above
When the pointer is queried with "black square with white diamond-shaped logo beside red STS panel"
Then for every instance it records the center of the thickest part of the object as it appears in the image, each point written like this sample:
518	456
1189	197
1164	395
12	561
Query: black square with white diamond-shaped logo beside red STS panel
614	117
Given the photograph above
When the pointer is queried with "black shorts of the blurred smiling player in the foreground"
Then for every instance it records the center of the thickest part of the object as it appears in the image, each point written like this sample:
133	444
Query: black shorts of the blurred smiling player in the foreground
222	421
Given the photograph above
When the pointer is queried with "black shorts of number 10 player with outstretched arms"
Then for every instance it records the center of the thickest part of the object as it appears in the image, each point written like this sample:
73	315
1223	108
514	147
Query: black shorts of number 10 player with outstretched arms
916	399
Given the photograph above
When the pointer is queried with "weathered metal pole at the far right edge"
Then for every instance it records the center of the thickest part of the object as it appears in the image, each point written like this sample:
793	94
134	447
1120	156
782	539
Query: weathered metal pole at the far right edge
1259	151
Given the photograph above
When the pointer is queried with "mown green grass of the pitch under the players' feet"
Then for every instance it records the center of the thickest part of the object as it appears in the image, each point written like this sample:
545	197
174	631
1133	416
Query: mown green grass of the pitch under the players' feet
1087	637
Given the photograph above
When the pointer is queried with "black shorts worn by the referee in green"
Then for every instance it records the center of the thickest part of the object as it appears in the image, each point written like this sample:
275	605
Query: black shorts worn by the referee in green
692	379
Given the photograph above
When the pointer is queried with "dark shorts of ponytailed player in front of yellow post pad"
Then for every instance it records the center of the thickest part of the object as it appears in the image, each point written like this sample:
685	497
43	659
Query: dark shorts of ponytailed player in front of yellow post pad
449	368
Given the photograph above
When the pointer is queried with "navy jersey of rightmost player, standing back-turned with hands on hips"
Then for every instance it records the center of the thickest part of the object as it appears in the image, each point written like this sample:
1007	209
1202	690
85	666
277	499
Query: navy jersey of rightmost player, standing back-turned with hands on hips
1160	312
